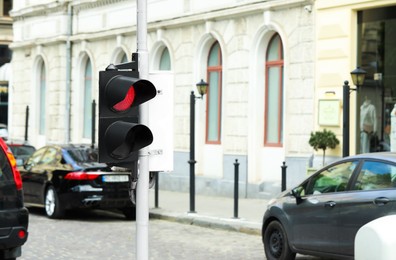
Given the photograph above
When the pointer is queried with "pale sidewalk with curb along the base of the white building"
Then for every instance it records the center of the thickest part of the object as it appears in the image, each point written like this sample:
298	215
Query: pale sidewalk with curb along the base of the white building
210	211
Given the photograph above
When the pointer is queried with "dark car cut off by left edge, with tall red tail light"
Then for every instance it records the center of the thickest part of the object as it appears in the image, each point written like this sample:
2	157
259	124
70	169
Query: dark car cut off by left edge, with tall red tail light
14	217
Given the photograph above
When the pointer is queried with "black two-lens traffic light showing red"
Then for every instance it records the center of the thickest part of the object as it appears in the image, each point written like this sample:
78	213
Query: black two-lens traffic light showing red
120	94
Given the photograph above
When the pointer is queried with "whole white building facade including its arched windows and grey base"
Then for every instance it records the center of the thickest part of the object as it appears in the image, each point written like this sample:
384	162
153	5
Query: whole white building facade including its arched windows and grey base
257	56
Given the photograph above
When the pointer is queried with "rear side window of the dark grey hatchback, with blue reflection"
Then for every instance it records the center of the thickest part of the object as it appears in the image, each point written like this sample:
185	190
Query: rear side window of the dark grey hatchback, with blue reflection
376	175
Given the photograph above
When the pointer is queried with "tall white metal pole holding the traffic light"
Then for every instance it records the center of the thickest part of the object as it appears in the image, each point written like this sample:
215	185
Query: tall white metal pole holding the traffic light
142	212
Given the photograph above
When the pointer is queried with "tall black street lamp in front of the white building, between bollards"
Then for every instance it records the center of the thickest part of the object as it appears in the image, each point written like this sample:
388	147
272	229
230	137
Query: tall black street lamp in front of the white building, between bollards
202	88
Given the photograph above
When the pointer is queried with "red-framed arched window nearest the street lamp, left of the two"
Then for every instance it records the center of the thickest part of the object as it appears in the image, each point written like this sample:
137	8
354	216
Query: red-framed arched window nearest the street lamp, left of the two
213	117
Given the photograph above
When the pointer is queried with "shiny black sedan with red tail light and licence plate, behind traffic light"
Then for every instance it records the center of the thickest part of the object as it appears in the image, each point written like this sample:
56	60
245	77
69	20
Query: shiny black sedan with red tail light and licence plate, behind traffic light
65	177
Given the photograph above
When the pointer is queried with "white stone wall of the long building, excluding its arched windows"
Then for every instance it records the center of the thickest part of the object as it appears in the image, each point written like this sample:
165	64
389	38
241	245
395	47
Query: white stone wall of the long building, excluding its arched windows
243	29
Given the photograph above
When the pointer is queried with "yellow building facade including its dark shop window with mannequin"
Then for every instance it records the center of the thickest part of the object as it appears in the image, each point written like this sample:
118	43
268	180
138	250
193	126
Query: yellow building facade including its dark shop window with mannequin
361	36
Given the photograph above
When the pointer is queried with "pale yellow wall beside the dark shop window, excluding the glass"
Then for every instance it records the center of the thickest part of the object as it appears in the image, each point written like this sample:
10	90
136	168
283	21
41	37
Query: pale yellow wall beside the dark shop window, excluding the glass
336	57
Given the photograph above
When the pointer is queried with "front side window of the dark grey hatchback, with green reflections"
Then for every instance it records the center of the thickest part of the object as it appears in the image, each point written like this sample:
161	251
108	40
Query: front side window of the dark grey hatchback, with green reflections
332	179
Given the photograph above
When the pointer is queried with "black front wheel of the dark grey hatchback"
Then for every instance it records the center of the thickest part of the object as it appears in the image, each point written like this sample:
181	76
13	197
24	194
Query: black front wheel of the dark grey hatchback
276	245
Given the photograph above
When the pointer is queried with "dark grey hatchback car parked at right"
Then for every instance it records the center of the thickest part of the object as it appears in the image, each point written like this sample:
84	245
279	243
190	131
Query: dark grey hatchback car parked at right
322	215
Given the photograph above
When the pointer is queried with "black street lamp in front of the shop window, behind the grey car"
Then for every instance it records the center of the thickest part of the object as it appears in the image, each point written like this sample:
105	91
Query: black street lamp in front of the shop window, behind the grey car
358	75
